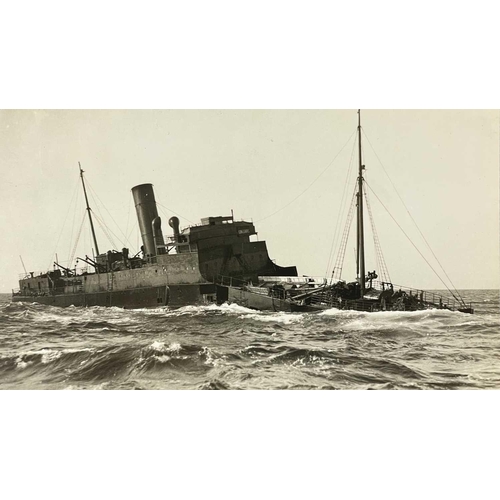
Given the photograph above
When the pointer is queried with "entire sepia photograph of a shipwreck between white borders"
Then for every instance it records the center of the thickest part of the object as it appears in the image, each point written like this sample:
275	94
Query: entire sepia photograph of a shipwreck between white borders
250	249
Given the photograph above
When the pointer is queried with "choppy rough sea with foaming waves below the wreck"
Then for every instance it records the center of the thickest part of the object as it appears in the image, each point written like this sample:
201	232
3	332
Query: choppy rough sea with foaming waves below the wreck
230	347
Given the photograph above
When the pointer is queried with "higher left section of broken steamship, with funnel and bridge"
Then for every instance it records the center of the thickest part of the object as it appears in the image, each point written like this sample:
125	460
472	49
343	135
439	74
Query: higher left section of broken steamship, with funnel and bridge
179	271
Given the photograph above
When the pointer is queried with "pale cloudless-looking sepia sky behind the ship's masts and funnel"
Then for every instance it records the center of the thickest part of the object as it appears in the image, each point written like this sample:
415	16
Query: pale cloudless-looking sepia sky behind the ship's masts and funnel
444	164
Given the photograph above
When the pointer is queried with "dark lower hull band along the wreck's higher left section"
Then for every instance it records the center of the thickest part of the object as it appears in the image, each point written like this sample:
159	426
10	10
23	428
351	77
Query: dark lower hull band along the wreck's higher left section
136	298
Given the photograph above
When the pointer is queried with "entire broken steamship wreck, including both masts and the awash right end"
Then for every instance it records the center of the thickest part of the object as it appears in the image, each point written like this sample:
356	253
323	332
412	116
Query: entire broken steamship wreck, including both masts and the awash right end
217	262
